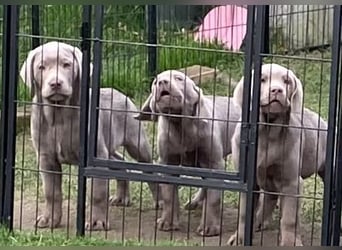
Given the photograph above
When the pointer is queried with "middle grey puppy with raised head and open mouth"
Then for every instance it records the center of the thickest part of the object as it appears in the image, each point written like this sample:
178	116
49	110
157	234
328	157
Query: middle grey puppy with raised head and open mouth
194	140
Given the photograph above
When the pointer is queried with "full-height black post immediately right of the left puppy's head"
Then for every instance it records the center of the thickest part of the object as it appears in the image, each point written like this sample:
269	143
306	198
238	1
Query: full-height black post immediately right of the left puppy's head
84	115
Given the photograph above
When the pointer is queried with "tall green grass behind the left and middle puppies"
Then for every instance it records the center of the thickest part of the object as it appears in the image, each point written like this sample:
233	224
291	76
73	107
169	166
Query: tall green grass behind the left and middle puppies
125	53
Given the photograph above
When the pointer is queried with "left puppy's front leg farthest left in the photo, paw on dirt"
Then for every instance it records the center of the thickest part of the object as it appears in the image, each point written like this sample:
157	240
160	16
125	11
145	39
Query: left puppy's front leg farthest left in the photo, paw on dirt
52	185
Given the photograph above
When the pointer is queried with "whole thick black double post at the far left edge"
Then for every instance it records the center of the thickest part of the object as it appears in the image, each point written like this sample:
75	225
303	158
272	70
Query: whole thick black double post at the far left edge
8	139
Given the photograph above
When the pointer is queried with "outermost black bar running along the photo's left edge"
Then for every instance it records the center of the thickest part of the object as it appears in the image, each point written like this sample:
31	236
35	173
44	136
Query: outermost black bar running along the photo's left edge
4	102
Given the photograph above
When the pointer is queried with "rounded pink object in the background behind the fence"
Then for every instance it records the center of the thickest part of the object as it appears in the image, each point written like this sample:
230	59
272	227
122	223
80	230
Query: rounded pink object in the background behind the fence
225	24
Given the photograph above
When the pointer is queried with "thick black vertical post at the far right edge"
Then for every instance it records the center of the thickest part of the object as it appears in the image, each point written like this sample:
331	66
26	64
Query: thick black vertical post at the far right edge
330	150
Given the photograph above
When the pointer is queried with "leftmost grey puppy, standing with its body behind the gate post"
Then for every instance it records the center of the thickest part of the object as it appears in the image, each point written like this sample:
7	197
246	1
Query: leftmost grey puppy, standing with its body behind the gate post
54	72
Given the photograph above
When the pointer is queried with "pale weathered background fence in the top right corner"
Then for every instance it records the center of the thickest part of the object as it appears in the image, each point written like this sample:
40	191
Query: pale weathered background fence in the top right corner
298	27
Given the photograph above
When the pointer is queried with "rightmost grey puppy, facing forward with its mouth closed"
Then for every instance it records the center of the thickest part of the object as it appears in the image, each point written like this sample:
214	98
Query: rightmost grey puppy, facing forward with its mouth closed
286	154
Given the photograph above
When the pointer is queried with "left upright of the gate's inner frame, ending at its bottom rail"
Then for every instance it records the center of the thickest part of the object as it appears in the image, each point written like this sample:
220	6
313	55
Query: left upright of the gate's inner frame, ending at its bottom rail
95	82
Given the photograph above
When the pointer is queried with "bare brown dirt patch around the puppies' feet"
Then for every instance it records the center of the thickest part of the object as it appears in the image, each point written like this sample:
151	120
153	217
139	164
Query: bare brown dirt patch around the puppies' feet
131	224
